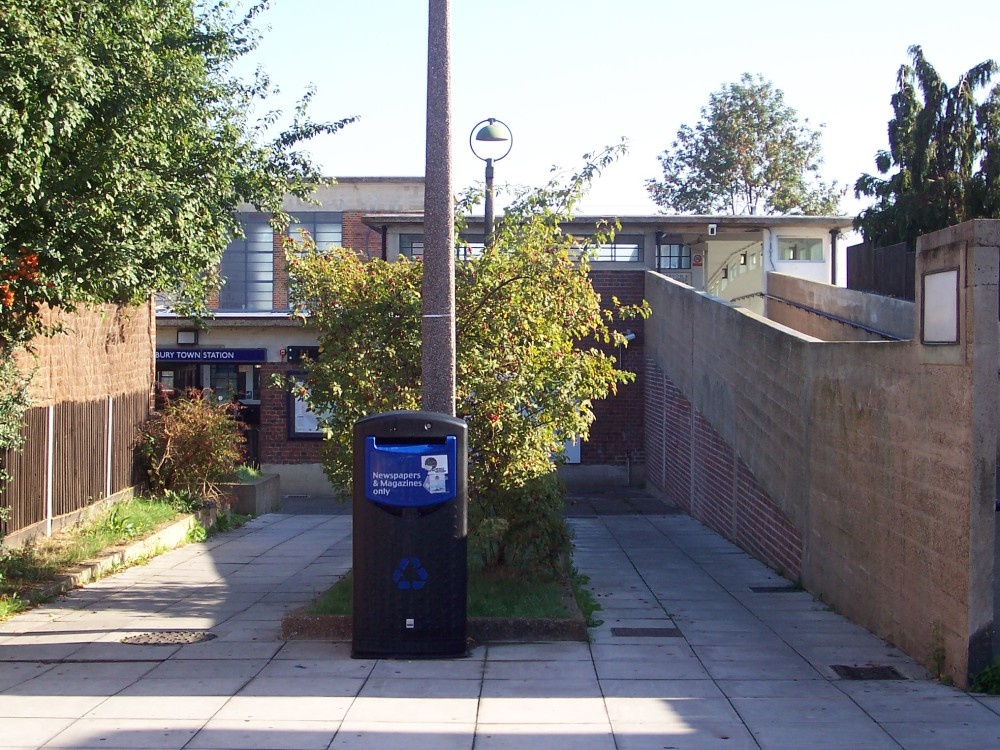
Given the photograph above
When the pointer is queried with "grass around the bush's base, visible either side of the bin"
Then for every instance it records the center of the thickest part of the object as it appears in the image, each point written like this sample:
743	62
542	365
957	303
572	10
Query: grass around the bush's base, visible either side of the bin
491	594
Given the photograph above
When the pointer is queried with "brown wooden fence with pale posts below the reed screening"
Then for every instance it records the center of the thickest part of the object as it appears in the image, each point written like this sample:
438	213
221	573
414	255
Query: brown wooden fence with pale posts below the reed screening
73	455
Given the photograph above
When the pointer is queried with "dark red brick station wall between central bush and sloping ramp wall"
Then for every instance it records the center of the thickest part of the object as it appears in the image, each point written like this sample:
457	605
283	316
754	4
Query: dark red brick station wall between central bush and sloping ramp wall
616	437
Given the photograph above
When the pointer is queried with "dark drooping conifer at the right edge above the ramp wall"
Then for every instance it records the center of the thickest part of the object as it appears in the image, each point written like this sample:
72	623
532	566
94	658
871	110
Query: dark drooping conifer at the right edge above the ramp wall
944	148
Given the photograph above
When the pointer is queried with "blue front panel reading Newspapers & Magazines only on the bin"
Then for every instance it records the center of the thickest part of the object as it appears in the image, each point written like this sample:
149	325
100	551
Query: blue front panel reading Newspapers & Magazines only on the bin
405	475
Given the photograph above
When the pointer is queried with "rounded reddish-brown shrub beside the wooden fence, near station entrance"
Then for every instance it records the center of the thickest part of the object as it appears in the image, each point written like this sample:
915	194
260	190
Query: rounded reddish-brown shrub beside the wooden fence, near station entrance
191	445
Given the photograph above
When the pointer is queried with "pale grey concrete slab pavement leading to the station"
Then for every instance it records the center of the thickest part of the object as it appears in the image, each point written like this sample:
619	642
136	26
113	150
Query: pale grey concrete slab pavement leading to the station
689	656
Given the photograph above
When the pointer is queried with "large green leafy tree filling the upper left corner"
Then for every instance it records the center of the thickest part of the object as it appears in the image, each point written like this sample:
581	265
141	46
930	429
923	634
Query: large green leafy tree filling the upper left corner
126	147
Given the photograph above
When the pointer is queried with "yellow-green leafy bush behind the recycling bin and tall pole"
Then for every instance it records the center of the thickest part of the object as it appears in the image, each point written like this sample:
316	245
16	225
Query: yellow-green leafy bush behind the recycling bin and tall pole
528	324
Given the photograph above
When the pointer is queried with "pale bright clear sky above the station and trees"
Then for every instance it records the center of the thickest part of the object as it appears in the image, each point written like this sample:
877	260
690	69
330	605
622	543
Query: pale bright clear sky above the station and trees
571	76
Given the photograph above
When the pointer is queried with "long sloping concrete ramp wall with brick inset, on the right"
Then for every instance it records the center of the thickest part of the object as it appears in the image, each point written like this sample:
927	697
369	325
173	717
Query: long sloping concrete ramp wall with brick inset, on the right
875	462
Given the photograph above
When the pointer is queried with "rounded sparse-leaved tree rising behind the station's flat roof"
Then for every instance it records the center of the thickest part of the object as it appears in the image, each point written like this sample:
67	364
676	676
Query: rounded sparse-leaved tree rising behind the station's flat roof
748	154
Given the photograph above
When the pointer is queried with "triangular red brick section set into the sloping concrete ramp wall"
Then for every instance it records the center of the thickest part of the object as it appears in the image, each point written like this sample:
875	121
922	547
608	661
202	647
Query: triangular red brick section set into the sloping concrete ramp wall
693	466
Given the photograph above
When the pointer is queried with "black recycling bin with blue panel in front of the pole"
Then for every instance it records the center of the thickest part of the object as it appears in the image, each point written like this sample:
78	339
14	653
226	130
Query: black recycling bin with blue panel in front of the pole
410	535
